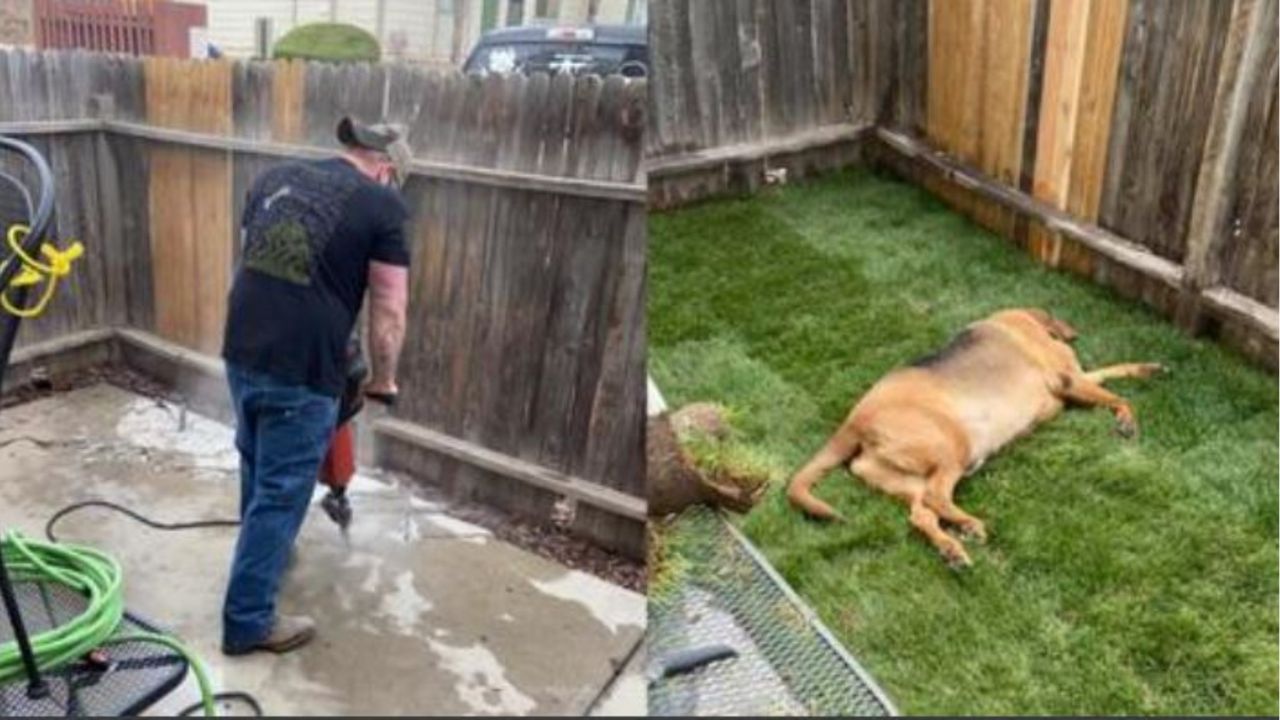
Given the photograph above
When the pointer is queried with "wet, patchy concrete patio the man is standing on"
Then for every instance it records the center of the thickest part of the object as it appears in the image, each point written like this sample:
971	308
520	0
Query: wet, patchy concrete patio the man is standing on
419	613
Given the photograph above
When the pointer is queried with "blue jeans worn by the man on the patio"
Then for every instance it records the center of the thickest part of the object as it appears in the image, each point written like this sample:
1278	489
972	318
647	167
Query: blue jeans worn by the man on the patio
282	434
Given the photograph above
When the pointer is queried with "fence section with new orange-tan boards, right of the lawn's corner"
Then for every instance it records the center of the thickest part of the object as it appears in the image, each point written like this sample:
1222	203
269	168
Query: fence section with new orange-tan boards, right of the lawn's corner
1144	131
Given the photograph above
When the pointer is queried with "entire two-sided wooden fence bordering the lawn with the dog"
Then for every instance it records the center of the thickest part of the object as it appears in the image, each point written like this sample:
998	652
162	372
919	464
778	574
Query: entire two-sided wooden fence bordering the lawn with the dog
1132	142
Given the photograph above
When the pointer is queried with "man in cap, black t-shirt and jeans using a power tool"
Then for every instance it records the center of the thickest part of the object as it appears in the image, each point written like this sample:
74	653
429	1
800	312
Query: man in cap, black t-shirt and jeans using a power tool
317	236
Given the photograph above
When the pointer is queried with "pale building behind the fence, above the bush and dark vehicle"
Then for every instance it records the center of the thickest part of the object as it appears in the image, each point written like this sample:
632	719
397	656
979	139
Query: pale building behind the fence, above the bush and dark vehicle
433	33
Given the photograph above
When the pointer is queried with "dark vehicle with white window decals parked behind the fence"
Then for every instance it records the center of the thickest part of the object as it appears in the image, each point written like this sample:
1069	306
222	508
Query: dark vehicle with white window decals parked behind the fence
577	51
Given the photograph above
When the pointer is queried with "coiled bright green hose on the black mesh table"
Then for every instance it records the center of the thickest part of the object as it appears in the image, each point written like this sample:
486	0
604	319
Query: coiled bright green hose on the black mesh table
99	578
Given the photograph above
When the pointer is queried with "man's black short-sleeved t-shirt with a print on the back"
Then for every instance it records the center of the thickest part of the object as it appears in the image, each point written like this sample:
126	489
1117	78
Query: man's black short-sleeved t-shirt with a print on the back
310	231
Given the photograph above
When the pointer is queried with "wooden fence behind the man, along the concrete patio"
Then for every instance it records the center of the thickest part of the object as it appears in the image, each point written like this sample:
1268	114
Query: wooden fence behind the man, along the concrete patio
523	380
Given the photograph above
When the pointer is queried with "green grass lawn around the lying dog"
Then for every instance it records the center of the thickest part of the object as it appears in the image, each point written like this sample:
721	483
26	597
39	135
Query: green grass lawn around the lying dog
1122	577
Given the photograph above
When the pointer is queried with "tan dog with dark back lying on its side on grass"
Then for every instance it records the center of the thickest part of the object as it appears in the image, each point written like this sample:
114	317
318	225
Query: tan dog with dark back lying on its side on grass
921	429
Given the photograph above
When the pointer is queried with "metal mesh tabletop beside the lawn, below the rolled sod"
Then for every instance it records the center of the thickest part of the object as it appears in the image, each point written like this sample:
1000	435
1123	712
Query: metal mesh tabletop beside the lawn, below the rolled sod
723	591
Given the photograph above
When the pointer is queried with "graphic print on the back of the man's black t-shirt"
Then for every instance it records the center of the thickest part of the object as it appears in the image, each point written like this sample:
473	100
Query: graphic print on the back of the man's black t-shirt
295	215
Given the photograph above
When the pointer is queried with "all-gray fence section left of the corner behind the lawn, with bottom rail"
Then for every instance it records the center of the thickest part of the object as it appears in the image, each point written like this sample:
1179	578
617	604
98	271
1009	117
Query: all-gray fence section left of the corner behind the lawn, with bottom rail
743	86
